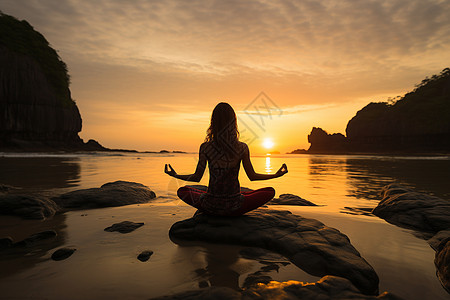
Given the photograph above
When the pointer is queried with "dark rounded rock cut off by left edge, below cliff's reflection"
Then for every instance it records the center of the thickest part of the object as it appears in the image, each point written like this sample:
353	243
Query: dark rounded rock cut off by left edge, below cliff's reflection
27	206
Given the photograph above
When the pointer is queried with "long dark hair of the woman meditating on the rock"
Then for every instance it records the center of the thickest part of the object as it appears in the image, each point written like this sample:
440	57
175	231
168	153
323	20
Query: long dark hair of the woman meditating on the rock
223	131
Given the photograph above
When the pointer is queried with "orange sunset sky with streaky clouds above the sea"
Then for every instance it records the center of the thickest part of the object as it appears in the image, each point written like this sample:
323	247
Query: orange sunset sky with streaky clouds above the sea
146	75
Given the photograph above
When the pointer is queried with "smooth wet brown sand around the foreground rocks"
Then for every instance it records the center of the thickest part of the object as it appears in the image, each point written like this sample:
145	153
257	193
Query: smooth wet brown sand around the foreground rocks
105	264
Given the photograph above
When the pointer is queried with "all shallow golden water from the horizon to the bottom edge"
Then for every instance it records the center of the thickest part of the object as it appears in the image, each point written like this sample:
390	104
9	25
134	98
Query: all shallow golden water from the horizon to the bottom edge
105	264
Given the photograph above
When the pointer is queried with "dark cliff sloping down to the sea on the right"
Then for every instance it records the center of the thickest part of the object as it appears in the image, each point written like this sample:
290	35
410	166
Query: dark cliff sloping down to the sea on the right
418	122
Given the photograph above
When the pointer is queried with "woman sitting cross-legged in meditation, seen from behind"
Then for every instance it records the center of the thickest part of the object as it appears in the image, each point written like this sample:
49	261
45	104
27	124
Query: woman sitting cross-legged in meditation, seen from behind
224	152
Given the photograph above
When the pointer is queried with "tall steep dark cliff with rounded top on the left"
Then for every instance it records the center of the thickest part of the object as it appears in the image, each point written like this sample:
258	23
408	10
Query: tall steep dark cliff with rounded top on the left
36	108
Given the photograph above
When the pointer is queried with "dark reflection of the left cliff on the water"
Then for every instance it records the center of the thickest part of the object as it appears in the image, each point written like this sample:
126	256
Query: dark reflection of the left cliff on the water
40	172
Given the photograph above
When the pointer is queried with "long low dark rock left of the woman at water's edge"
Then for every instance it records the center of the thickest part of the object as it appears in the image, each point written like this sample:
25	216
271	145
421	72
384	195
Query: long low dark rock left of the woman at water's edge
110	194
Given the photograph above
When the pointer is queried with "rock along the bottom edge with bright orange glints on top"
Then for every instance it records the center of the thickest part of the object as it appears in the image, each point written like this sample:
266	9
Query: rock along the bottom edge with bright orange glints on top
328	287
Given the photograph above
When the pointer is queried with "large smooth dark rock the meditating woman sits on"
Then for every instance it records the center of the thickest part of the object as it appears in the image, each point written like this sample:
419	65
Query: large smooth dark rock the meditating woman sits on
308	243
